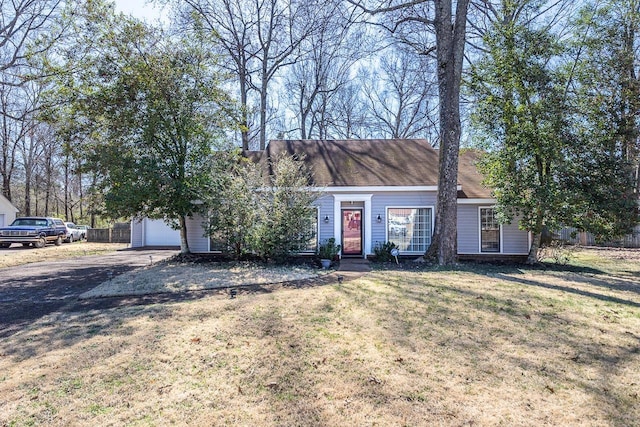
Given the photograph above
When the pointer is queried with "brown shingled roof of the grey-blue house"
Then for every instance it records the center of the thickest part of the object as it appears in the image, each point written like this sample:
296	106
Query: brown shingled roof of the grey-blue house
374	163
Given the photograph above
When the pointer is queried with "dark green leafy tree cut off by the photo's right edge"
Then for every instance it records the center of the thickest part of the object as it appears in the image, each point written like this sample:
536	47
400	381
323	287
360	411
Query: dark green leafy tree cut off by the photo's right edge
606	85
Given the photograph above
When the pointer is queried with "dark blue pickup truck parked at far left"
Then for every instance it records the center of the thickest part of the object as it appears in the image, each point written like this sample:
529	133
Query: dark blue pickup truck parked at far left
36	231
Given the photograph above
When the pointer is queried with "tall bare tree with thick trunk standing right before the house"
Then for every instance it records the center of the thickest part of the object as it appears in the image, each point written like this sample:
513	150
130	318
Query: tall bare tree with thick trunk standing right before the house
447	20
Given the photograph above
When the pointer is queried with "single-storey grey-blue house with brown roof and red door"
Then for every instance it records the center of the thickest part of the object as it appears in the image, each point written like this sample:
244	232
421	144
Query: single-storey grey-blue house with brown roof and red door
376	191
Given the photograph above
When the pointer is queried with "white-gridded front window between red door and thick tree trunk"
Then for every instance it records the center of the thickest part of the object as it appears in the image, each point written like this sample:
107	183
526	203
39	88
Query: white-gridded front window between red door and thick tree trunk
409	228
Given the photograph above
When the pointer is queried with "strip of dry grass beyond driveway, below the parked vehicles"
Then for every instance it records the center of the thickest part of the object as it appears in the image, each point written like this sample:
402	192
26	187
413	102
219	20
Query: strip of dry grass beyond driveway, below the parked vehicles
18	255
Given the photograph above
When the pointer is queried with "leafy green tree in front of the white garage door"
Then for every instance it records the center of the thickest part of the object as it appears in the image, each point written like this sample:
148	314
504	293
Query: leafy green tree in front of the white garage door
157	116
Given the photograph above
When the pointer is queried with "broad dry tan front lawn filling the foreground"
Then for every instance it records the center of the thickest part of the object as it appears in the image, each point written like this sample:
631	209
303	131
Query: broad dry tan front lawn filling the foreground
475	345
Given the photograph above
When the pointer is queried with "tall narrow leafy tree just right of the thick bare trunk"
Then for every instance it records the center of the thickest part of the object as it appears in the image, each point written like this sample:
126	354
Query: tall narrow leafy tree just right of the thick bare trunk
521	119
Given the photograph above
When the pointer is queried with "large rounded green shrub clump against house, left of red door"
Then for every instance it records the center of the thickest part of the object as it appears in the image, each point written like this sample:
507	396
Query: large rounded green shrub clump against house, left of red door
271	217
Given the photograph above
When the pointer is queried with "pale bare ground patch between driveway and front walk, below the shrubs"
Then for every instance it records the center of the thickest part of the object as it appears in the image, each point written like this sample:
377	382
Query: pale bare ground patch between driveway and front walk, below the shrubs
175	278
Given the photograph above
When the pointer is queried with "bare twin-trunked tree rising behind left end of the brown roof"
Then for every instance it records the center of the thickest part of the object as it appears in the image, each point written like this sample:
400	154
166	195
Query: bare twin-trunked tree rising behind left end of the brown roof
259	38
